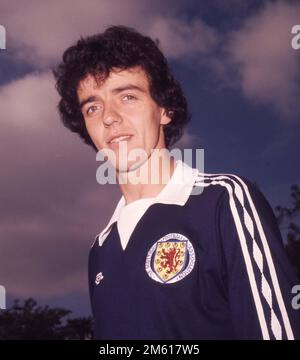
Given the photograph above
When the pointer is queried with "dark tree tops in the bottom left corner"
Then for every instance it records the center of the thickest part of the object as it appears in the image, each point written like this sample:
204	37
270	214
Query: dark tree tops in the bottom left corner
30	321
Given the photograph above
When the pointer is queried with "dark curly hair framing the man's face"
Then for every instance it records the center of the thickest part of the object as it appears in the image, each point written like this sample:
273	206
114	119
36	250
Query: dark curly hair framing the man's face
118	47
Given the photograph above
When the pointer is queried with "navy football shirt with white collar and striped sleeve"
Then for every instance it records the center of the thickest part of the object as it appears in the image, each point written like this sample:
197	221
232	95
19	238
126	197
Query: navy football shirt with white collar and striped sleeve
205	260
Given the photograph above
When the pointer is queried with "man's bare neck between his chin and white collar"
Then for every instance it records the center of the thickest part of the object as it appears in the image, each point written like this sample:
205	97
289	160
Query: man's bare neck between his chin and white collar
147	180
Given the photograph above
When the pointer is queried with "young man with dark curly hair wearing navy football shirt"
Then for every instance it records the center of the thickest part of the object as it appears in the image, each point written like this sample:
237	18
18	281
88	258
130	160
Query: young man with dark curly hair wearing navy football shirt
169	264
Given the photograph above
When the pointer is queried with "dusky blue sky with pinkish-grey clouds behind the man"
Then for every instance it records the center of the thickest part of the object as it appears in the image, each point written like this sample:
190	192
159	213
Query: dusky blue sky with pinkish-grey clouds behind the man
240	75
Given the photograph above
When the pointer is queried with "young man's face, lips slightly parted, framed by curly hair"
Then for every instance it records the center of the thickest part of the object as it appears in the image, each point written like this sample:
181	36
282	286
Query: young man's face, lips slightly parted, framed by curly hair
120	113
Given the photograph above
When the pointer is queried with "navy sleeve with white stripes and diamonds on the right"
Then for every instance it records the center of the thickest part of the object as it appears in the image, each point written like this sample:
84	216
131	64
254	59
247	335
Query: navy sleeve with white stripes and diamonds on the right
259	276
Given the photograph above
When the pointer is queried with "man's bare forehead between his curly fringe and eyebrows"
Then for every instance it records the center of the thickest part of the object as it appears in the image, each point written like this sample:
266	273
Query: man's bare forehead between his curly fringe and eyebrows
117	77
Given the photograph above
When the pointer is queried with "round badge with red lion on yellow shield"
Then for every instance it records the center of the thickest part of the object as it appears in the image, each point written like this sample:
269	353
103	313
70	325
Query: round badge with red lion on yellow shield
170	259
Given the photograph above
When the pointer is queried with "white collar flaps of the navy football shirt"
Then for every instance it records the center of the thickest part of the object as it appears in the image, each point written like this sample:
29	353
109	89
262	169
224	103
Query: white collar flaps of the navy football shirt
176	191
